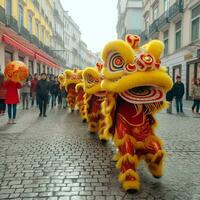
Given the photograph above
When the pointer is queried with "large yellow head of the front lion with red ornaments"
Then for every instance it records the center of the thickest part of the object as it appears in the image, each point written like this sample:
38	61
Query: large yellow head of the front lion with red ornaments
134	71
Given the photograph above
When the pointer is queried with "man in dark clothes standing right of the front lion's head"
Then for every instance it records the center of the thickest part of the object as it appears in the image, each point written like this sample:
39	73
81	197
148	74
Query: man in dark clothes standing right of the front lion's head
178	92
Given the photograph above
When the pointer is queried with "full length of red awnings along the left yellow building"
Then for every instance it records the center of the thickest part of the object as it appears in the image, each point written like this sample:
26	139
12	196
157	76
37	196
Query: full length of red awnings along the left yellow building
8	40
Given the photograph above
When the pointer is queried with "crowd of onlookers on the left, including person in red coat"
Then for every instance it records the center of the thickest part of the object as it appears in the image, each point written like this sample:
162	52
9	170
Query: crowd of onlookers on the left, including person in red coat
39	90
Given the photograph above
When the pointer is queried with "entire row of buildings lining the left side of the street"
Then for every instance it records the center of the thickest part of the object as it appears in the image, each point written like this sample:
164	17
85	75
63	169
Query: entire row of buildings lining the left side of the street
41	34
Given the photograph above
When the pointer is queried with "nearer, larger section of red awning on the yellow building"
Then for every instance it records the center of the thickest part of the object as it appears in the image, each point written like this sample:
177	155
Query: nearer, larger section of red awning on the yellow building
8	40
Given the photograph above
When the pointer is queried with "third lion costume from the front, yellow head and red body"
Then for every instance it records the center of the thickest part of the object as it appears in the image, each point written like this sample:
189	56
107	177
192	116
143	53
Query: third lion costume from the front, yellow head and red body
72	78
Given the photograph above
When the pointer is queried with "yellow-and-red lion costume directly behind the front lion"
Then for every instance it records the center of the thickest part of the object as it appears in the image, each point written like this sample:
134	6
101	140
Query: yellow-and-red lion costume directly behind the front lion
94	97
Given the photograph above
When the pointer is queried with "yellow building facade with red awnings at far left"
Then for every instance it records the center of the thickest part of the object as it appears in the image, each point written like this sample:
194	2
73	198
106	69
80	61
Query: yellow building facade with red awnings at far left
26	34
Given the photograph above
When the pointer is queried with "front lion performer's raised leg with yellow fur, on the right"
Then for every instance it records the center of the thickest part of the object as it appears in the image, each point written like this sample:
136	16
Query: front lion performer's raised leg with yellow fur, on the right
154	155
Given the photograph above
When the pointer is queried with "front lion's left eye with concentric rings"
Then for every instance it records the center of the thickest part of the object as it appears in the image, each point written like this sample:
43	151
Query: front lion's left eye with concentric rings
116	63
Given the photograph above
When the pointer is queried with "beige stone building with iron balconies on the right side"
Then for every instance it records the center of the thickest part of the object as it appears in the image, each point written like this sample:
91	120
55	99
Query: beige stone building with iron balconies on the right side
177	24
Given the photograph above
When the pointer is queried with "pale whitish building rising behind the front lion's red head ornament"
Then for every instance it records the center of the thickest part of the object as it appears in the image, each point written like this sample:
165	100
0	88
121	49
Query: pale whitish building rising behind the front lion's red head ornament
129	17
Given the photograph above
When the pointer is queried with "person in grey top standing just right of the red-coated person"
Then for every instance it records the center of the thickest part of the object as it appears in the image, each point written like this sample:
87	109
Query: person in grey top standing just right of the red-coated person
25	92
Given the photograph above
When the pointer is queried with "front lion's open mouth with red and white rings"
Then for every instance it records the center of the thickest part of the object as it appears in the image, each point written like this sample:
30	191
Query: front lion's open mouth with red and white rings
143	95
